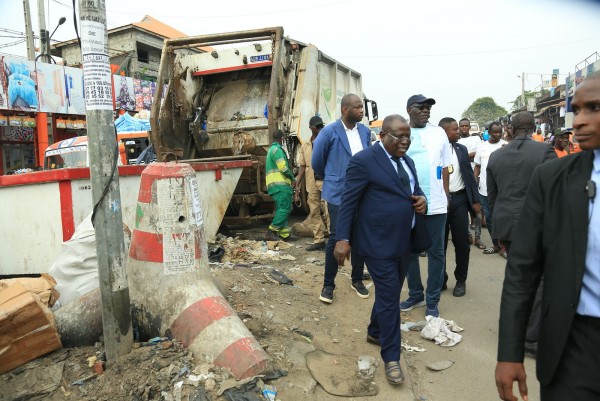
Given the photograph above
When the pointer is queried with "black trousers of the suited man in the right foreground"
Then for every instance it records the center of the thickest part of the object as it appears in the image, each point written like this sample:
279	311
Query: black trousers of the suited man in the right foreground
576	377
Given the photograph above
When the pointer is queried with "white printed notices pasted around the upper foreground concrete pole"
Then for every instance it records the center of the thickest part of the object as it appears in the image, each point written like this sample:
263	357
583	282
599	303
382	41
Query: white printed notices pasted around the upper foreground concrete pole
96	66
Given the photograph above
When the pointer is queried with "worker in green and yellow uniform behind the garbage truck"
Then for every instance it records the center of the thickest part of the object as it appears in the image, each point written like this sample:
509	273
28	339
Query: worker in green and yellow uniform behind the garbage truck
280	183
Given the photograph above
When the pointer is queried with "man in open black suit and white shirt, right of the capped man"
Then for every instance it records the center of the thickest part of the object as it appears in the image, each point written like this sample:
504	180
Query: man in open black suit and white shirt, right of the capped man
463	199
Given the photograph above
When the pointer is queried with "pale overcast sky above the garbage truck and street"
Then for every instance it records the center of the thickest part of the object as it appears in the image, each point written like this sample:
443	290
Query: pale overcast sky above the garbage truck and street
452	50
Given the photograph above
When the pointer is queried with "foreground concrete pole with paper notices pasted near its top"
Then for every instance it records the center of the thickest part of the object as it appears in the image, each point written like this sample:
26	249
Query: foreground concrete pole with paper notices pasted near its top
102	148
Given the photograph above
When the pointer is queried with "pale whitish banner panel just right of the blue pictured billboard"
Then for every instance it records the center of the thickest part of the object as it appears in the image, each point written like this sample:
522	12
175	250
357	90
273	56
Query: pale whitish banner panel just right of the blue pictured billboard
51	88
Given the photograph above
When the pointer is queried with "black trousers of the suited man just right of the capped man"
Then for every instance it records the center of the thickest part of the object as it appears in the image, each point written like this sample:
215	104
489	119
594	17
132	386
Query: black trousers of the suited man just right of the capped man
457	222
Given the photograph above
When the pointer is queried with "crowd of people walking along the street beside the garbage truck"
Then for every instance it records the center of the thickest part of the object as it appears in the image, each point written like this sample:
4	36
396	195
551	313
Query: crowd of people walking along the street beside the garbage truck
389	202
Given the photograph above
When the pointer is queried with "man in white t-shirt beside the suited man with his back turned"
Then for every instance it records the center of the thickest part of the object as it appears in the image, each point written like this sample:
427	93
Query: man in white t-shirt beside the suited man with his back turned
482	156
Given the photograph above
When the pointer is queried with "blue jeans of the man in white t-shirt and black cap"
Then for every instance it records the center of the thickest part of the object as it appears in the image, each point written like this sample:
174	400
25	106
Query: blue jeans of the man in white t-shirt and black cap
436	225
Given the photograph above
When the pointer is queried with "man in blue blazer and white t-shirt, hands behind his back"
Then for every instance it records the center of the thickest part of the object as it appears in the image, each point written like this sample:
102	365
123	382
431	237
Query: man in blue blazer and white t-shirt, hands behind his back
332	151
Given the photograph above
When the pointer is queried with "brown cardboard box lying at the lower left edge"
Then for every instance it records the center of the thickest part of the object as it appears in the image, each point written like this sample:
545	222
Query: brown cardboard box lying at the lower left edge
27	329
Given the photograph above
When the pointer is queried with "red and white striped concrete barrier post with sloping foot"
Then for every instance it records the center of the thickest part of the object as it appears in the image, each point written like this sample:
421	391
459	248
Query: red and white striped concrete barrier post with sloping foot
170	284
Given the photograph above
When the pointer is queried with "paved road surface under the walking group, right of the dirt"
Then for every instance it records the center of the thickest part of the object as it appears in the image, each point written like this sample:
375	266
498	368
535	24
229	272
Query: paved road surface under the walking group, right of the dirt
472	375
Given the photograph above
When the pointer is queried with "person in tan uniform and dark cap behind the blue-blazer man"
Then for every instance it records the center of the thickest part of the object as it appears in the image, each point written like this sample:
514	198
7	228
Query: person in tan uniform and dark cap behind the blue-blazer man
317	210
